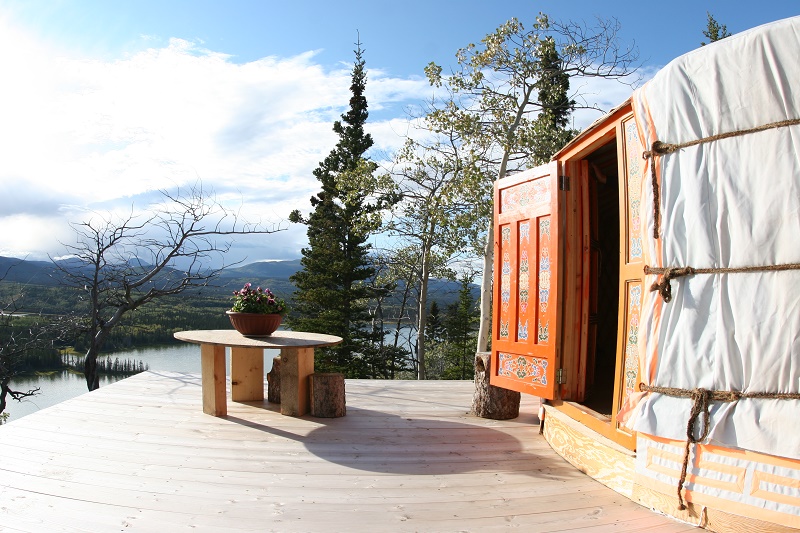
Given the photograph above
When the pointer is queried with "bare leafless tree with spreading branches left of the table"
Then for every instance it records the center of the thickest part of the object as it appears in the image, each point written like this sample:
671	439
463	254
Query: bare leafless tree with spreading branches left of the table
122	263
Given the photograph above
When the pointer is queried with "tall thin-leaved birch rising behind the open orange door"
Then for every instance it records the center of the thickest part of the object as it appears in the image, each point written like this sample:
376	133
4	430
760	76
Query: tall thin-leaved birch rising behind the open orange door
498	92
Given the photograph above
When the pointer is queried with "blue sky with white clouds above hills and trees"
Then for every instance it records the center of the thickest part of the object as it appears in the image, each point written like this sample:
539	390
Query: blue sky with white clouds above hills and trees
104	103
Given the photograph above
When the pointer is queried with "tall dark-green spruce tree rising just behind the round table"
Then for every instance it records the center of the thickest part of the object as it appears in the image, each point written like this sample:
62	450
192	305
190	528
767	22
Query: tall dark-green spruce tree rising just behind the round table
332	289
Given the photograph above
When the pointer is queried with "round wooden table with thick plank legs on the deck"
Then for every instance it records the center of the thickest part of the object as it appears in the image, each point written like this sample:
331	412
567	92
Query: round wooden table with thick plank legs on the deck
247	366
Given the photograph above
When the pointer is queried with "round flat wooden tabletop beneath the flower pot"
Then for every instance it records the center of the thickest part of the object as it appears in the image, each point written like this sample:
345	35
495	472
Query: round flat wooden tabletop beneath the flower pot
279	339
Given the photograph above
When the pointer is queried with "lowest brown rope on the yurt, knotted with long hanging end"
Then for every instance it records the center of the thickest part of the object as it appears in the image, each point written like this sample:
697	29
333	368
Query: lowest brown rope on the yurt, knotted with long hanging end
701	398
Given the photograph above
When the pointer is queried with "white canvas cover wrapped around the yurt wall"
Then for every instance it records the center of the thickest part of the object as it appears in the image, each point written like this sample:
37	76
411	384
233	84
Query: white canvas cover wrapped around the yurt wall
727	204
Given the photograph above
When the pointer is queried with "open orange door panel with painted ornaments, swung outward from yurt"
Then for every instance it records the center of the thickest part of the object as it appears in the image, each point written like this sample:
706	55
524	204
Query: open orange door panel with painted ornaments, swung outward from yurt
525	324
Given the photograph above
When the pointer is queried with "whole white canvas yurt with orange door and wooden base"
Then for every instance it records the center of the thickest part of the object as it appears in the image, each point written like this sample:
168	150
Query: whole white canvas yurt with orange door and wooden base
647	287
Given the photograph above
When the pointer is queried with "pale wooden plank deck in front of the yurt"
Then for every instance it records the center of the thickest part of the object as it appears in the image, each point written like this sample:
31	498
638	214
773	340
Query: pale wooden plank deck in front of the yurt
140	455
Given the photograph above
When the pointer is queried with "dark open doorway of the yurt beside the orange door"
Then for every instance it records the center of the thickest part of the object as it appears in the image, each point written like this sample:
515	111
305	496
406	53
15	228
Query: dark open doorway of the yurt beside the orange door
604	230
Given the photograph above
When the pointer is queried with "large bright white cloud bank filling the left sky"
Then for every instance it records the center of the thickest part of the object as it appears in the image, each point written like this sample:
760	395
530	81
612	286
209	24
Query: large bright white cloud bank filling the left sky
95	134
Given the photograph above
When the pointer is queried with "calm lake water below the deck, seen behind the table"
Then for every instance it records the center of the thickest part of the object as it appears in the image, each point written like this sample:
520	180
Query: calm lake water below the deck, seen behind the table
62	386
